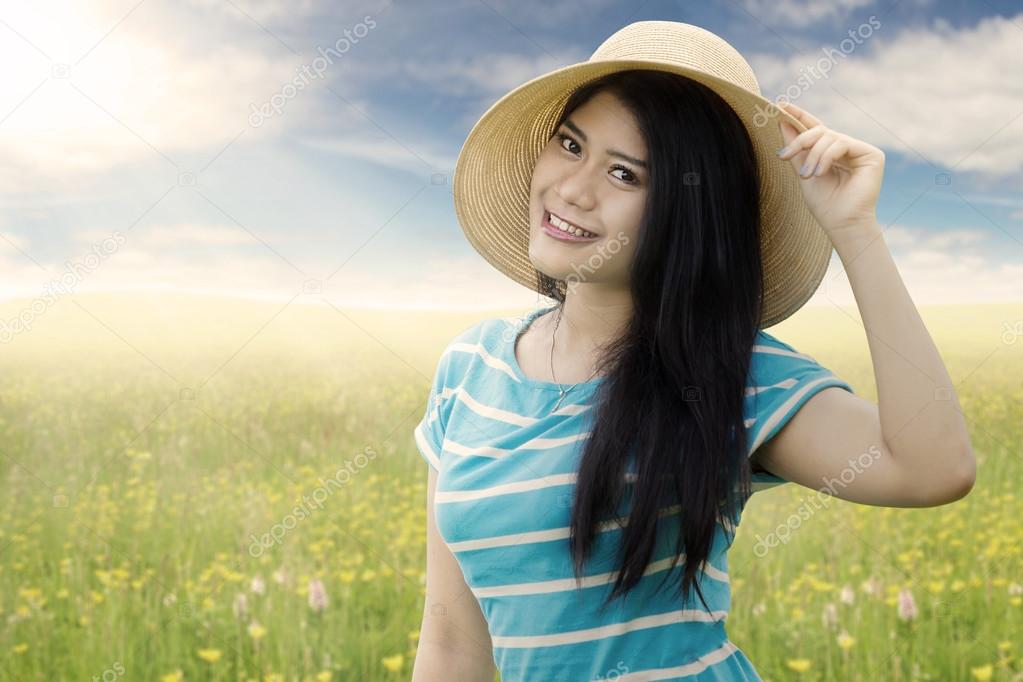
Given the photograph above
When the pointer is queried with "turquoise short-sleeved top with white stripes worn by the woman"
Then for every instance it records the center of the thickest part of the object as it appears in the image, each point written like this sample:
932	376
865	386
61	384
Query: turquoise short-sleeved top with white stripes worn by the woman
507	468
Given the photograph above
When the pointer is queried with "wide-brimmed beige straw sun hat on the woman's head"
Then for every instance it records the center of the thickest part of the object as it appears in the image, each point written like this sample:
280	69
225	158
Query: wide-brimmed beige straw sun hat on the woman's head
493	174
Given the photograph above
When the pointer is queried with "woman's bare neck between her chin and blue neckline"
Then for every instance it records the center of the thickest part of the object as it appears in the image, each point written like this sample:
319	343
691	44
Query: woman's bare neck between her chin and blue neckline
593	316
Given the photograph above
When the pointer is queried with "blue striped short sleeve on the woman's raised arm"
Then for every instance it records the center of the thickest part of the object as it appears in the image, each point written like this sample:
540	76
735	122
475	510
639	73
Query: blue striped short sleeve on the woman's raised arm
782	380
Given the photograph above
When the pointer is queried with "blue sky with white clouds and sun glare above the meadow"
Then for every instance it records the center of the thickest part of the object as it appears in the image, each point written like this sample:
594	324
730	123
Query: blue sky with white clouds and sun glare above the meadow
132	125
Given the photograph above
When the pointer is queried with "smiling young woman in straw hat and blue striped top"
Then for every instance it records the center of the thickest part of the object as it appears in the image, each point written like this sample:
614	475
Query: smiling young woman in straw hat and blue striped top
588	458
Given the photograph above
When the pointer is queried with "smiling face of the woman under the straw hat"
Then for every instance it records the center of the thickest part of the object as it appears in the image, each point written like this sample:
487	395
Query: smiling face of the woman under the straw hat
596	178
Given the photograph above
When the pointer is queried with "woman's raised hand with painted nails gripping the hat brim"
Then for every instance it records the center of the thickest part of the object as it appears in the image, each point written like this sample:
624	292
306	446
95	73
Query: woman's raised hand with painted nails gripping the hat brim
844	197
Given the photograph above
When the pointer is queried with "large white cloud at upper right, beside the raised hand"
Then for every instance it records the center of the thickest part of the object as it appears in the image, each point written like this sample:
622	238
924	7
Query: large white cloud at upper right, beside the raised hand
940	95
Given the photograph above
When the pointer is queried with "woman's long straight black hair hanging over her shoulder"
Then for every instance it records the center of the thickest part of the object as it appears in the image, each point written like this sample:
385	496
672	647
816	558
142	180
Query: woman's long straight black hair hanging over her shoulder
675	381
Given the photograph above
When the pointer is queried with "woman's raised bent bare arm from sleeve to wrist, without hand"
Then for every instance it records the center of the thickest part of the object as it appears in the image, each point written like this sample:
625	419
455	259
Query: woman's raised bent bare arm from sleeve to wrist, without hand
913	449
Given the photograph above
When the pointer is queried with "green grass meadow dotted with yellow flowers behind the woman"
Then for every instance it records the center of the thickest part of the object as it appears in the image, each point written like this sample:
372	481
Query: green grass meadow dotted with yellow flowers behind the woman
150	443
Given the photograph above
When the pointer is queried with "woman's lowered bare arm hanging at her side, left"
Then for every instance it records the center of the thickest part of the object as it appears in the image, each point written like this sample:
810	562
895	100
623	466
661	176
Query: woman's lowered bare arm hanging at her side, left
455	642
